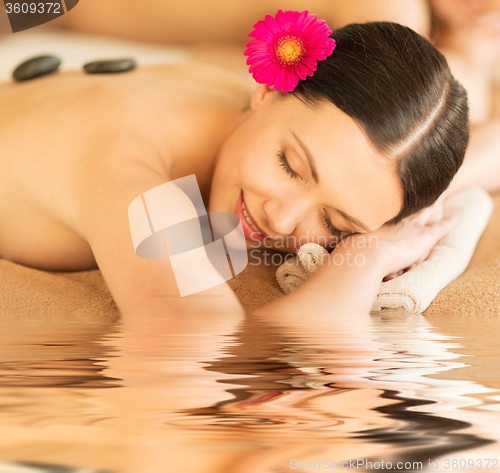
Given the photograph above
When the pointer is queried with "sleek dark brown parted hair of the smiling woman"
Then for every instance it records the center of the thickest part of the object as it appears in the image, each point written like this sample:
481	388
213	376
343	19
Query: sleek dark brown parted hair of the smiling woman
398	87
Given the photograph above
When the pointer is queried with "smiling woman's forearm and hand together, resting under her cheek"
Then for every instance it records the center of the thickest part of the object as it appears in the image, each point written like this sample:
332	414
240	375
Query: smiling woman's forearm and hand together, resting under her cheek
348	281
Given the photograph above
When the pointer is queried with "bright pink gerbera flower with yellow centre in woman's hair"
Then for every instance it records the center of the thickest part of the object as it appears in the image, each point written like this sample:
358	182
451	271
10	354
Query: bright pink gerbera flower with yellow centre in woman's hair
287	48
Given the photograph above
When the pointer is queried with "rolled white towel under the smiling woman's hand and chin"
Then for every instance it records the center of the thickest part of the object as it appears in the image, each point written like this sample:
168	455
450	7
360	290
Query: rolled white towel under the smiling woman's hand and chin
414	290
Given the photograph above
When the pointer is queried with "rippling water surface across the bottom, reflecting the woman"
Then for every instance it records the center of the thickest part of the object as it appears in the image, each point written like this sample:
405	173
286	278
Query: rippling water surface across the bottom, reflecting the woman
243	396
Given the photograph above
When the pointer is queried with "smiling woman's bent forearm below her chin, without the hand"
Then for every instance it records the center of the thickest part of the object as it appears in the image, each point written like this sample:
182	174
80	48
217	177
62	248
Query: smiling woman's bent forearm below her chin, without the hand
334	303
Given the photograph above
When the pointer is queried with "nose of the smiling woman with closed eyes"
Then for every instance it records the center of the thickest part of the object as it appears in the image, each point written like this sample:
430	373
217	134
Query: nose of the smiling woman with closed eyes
284	214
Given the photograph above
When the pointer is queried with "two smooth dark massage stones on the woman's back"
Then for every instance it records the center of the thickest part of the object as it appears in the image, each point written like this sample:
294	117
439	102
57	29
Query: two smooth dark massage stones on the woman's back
43	65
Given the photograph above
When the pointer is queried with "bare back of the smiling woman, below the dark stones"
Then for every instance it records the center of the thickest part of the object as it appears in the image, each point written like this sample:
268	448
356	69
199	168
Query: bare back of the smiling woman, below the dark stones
169	119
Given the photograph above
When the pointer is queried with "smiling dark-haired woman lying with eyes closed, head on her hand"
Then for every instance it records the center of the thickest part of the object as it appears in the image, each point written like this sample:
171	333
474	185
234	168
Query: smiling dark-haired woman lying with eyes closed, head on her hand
374	136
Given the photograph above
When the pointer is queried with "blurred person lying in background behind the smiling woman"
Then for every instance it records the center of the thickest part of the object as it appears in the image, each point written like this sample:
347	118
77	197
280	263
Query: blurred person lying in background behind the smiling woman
467	32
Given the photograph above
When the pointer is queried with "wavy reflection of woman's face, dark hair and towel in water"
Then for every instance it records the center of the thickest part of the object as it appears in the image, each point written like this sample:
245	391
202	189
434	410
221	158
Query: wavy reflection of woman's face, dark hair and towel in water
290	391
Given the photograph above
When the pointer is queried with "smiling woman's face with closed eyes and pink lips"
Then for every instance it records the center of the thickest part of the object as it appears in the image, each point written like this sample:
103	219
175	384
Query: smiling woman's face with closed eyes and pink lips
292	165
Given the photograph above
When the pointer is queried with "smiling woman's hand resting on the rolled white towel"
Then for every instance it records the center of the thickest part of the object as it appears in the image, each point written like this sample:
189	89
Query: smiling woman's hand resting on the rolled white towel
411	241
